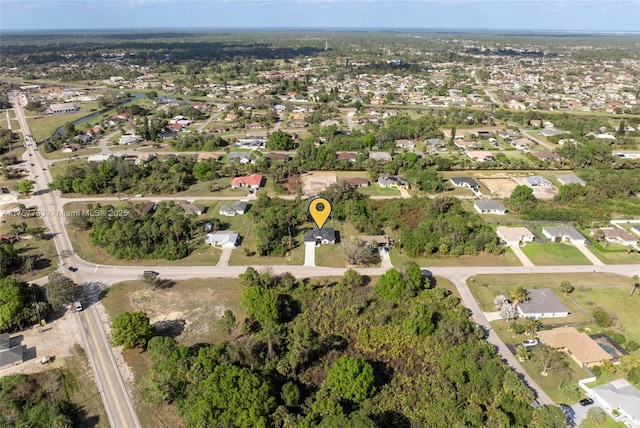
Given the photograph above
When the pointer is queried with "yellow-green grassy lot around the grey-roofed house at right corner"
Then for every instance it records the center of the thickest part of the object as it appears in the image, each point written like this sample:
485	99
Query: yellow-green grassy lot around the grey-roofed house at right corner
592	291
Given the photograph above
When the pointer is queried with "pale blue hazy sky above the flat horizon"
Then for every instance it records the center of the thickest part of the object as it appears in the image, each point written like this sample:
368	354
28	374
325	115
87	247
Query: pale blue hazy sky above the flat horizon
567	15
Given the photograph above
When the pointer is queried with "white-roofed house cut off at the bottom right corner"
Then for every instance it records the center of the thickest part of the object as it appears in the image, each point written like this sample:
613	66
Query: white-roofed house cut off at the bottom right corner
620	395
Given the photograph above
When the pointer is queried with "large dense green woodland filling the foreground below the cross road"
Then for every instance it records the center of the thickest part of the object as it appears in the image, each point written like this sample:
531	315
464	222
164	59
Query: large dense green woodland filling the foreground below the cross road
317	356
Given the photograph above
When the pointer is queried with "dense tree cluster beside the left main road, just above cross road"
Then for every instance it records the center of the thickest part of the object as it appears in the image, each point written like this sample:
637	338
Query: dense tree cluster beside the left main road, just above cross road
167	233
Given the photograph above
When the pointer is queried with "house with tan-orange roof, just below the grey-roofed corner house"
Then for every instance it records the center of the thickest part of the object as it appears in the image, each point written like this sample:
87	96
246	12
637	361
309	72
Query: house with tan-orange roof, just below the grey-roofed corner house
582	348
